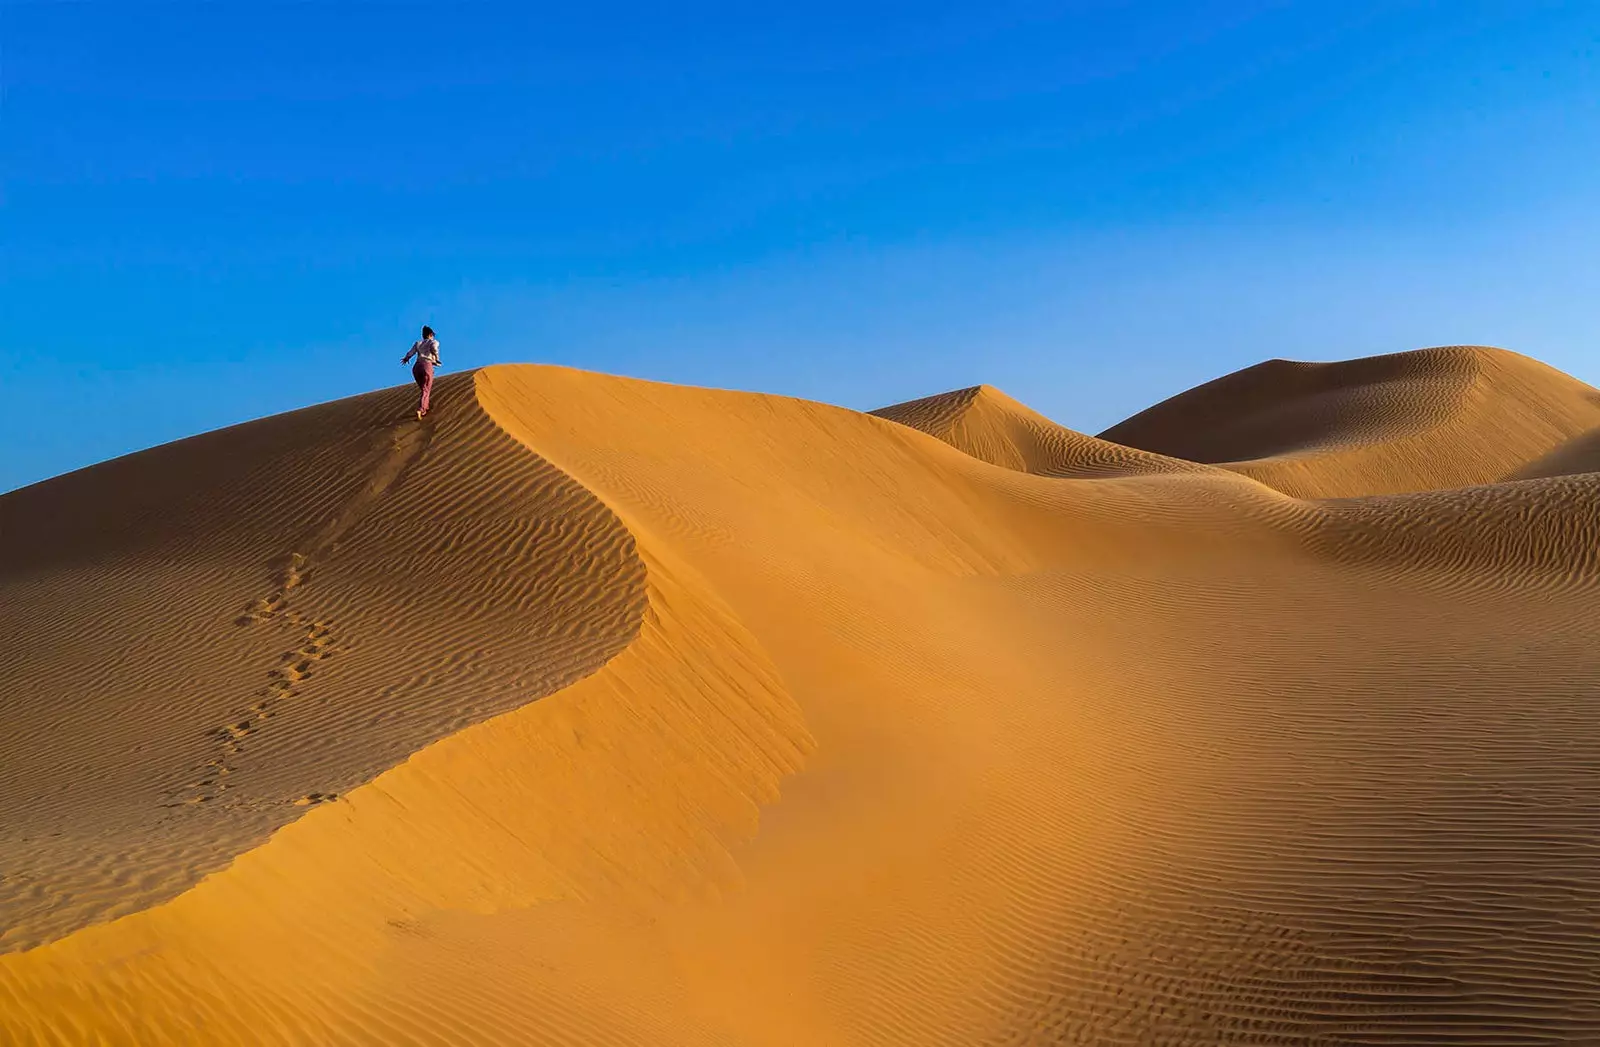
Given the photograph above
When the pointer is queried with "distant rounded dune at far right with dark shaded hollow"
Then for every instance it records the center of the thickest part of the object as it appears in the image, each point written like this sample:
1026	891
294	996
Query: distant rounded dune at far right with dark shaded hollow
1425	420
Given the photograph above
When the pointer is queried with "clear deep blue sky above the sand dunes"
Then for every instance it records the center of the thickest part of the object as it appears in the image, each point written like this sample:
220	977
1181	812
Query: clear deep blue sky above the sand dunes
212	212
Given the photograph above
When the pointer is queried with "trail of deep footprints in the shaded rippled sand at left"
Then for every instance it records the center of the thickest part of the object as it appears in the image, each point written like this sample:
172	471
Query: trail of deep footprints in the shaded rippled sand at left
284	683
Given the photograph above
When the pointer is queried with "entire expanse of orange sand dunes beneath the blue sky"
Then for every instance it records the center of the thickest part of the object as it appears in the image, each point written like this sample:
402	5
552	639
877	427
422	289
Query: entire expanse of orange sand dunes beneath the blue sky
846	732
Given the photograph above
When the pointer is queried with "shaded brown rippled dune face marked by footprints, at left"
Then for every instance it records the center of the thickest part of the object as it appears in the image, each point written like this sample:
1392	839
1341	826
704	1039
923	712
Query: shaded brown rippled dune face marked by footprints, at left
268	617
